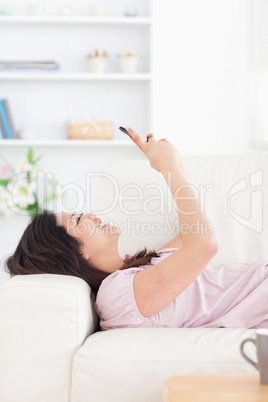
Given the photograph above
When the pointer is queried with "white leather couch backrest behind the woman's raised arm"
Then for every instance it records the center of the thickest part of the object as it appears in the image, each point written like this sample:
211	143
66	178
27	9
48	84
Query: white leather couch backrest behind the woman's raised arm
233	190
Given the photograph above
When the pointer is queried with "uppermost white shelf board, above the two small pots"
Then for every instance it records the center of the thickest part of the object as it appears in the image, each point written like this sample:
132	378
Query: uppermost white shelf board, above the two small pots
46	19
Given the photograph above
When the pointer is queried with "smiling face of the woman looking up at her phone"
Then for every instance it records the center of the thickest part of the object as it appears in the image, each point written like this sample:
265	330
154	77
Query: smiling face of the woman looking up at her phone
88	229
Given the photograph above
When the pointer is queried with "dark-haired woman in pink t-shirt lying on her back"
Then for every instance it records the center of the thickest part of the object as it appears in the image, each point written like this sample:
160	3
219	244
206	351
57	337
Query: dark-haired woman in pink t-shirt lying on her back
171	287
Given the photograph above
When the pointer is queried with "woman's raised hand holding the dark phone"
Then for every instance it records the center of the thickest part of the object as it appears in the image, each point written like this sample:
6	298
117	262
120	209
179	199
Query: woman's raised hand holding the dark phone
162	154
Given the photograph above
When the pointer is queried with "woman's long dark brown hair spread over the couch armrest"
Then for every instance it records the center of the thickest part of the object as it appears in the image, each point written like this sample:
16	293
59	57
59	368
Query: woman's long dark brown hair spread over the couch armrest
46	247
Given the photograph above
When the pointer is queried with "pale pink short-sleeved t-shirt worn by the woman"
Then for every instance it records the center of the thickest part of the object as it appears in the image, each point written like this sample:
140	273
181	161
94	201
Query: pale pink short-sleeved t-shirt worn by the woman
231	295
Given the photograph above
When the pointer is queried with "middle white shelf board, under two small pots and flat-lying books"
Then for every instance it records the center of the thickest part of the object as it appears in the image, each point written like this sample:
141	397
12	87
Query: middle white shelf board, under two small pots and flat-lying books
58	76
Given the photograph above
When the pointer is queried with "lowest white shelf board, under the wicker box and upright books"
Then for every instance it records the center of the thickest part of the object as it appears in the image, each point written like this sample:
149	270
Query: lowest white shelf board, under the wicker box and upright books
66	143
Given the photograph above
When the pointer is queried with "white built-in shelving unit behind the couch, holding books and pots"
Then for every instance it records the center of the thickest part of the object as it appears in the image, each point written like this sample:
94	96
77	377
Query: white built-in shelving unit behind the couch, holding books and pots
43	101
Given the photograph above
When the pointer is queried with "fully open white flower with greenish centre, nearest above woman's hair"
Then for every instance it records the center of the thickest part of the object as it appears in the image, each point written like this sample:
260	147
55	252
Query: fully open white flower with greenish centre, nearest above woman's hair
22	193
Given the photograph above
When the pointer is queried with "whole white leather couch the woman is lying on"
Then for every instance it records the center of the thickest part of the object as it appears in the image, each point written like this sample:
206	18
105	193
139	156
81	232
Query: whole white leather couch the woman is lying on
48	351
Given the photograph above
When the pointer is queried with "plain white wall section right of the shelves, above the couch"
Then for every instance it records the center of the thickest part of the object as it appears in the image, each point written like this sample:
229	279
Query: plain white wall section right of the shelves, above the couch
202	74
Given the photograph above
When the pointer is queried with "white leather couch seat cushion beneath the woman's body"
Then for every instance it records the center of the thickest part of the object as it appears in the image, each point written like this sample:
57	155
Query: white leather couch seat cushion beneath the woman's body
134	363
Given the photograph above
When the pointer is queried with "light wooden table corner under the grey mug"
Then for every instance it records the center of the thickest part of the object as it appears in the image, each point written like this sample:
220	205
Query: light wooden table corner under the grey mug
215	388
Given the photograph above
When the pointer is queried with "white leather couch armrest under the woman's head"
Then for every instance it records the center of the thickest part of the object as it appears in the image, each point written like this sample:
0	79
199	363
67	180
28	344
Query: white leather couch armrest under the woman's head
44	319
